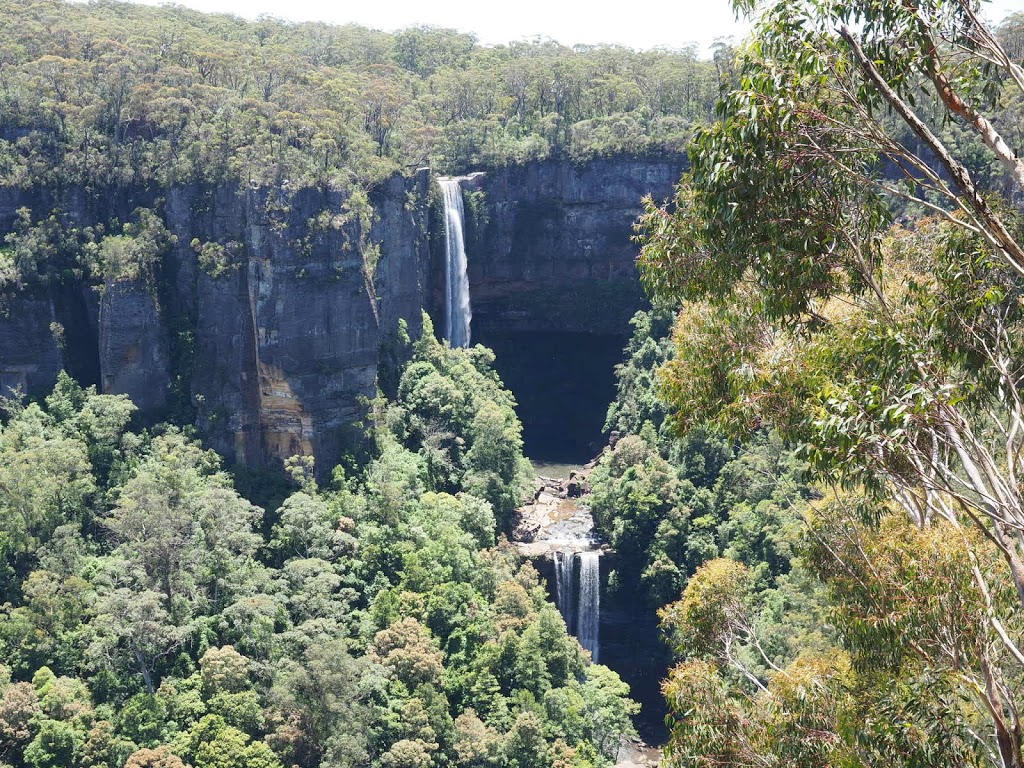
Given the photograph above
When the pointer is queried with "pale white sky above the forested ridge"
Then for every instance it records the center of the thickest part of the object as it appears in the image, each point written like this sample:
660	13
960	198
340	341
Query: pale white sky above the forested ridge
637	24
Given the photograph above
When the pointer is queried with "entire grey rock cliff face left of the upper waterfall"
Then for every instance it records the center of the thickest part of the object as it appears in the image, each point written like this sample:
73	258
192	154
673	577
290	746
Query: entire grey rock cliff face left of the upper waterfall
273	354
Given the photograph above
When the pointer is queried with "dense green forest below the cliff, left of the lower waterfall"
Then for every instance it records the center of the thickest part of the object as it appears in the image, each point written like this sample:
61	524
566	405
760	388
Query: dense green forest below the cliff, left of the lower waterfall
156	618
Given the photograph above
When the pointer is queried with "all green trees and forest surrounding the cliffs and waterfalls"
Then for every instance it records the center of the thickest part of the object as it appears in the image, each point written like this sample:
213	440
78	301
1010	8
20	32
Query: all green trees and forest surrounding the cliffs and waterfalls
814	478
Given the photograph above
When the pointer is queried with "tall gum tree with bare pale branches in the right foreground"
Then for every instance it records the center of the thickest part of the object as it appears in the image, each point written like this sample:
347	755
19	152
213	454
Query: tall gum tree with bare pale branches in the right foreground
893	356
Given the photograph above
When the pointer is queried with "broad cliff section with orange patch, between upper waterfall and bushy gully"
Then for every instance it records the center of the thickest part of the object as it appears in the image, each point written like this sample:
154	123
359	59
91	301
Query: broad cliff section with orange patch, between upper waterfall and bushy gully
287	343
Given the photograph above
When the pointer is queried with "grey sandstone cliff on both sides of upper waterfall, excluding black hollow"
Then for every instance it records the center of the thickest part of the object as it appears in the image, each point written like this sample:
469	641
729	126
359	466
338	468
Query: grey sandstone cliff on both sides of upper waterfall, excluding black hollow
273	353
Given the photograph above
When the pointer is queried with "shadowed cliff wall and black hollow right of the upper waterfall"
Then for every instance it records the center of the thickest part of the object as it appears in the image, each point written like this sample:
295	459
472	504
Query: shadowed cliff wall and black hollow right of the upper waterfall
553	283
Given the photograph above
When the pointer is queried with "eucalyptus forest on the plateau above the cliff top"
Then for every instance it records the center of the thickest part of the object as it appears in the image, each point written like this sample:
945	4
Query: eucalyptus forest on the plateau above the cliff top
110	94
